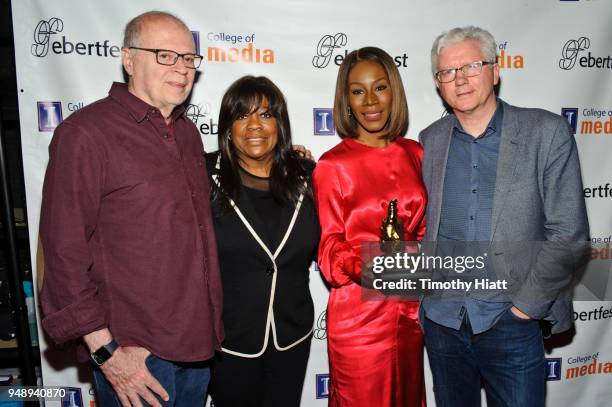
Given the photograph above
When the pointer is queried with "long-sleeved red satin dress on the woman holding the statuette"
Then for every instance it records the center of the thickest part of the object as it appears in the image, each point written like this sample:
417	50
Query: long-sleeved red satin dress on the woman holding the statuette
375	347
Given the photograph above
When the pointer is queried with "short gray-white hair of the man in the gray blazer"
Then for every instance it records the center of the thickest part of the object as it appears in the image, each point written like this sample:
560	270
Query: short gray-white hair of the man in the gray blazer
460	34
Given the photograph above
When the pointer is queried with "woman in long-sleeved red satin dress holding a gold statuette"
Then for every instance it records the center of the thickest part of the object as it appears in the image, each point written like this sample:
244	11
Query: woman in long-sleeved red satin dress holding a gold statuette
375	346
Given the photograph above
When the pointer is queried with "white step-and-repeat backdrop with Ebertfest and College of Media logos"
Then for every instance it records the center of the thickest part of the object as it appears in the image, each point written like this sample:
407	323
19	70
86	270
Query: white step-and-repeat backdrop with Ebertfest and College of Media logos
553	54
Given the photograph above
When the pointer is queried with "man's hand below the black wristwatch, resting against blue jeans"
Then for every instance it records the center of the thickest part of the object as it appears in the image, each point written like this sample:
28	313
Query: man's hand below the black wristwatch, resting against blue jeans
127	373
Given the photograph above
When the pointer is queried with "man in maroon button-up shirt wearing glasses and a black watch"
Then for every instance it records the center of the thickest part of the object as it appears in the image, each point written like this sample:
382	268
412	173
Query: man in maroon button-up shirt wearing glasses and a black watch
130	256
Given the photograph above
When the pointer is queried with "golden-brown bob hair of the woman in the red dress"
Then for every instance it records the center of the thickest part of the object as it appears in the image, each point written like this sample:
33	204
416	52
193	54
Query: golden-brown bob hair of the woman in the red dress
345	123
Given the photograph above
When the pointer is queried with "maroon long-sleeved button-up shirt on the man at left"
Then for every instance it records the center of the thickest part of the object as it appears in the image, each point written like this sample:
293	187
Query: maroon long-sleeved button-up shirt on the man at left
127	231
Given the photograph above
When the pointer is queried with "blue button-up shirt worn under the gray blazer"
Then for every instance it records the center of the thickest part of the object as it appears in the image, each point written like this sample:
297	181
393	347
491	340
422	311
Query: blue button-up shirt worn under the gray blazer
467	206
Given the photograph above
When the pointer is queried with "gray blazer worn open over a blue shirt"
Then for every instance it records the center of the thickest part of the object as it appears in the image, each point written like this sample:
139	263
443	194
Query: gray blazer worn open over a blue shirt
538	198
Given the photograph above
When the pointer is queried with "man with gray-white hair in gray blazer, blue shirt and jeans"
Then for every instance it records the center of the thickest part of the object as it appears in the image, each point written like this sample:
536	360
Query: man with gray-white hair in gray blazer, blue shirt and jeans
508	176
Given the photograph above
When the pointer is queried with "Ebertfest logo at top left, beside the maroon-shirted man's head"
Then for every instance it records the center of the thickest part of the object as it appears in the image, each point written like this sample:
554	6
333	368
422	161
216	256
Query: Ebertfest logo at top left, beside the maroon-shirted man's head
42	42
